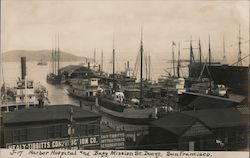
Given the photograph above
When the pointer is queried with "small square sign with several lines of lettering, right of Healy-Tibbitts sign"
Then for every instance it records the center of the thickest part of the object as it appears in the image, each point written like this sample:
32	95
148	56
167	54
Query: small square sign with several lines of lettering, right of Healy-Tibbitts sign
113	140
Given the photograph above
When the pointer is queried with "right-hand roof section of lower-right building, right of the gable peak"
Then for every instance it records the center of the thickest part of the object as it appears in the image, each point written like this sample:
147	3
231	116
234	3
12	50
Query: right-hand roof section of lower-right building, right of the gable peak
217	118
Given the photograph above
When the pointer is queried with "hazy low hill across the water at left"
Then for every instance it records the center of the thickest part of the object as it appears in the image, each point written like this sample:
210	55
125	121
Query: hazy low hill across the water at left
32	55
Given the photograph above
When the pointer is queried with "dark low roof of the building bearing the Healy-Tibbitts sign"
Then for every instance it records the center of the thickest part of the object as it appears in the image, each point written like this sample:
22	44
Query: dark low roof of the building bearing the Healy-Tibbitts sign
48	113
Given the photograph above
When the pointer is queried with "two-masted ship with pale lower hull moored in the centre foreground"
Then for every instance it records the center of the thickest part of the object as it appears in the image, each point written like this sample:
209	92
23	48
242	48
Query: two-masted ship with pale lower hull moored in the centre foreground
134	110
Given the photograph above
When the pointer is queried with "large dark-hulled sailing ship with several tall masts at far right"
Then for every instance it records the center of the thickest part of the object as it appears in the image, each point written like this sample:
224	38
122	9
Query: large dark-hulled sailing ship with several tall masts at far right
219	78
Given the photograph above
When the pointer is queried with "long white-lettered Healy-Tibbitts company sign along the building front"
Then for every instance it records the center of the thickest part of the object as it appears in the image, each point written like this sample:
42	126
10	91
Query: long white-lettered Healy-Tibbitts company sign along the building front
57	143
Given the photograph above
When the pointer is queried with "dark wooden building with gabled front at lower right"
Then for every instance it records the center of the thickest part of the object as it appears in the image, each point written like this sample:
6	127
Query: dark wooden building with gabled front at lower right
210	129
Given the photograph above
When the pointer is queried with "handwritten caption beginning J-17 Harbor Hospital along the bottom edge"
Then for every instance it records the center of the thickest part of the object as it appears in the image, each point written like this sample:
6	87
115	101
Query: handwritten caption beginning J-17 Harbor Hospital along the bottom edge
105	153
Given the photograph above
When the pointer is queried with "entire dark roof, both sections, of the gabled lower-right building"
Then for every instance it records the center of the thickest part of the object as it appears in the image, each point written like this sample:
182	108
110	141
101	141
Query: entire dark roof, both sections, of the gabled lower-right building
179	122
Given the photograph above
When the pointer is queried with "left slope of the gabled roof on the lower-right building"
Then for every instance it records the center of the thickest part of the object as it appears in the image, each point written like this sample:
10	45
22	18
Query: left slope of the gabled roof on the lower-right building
177	123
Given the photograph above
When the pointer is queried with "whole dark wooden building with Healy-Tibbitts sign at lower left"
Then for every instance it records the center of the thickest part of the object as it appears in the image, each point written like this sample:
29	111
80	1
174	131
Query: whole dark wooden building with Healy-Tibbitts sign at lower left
50	127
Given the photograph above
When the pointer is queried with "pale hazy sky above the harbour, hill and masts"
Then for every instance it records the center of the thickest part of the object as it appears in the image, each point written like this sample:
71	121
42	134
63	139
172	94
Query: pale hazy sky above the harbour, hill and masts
85	25
